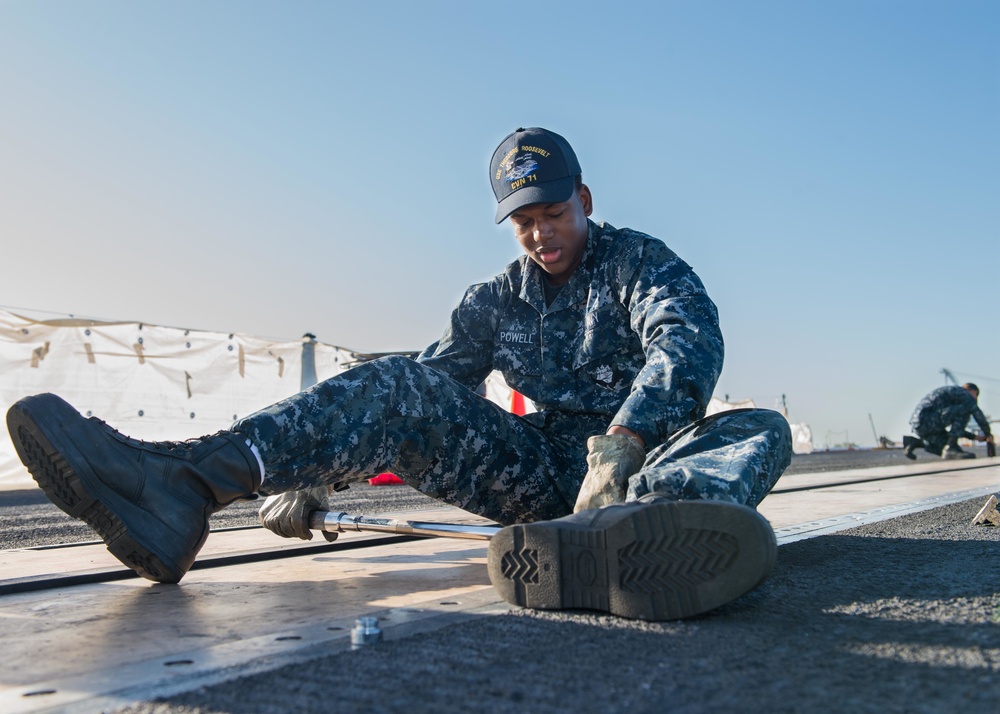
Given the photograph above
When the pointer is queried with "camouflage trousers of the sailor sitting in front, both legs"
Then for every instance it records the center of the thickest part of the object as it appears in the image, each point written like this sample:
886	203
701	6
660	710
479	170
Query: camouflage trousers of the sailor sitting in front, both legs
396	415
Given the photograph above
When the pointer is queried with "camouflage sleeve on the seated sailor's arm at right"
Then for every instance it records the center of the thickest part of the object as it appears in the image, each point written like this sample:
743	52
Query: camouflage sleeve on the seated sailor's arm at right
678	326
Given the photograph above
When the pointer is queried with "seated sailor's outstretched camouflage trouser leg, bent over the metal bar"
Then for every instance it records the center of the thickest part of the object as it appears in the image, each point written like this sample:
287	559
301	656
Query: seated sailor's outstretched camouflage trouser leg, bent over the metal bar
396	415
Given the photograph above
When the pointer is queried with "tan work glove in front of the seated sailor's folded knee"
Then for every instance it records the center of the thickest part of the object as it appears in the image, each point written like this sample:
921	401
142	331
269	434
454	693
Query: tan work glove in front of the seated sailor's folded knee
611	460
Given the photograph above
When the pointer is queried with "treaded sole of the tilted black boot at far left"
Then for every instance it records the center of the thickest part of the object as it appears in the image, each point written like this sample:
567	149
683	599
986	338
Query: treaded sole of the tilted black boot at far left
58	471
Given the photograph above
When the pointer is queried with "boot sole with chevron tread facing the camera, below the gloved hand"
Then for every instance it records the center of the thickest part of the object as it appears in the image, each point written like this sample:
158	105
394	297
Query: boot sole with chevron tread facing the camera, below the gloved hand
662	561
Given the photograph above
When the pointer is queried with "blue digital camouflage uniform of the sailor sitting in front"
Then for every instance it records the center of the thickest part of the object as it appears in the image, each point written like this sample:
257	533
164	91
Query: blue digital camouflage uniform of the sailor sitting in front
631	339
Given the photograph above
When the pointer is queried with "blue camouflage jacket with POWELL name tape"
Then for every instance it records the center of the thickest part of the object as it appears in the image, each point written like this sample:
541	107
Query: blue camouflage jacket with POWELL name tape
632	339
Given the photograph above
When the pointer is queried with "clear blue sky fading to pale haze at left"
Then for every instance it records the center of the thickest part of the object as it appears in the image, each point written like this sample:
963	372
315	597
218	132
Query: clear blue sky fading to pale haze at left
830	169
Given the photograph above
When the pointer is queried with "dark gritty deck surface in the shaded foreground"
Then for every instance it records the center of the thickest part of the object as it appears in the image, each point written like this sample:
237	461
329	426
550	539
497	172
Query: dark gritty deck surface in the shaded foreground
898	616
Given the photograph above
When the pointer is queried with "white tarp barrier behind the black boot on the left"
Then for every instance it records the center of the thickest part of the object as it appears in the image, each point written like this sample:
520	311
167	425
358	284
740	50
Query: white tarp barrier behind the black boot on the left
150	382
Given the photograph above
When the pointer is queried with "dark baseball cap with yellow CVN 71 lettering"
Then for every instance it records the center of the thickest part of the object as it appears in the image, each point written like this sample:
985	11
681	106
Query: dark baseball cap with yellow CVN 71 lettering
532	166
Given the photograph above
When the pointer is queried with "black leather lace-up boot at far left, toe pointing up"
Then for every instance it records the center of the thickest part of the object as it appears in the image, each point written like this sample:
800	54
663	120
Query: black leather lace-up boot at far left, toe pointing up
149	501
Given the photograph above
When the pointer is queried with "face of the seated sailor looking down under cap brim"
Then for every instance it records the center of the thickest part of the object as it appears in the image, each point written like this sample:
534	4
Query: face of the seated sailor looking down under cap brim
554	235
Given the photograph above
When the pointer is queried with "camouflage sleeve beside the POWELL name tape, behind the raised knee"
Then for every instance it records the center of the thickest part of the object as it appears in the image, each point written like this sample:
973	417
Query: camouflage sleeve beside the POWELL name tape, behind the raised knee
465	351
